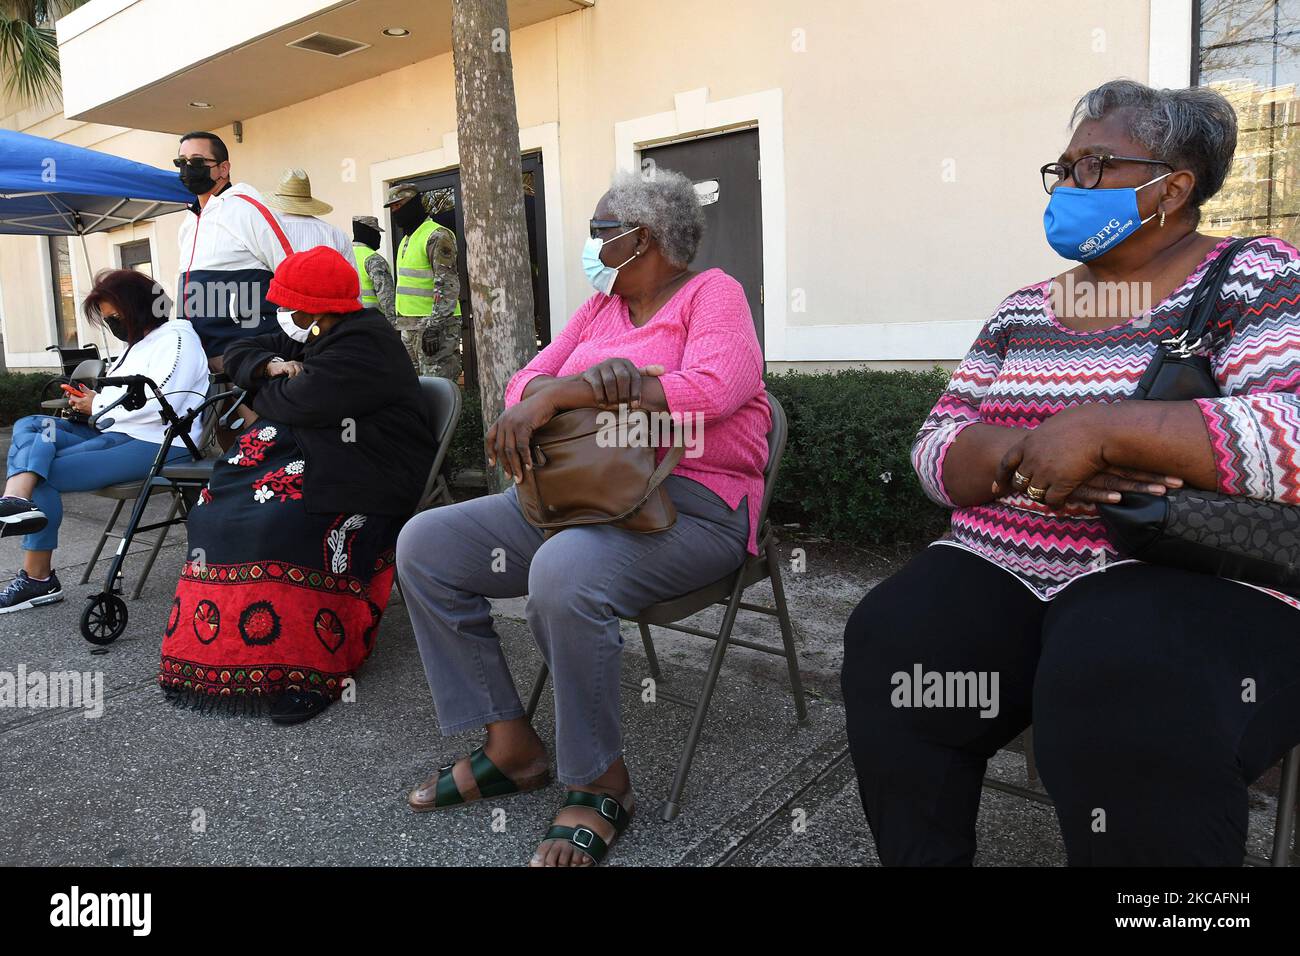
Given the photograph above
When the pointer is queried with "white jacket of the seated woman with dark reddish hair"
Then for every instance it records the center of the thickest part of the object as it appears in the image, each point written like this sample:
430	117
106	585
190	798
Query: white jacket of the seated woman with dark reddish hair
174	358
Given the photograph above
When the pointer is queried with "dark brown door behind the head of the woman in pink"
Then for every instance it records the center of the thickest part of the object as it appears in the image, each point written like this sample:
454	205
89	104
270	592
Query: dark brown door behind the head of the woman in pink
726	172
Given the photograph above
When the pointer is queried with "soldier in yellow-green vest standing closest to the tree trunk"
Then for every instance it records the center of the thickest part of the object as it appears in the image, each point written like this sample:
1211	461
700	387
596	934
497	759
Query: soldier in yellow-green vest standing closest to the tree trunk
428	291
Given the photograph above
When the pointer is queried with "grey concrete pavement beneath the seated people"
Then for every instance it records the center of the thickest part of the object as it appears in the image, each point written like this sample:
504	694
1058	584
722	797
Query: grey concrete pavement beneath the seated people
146	784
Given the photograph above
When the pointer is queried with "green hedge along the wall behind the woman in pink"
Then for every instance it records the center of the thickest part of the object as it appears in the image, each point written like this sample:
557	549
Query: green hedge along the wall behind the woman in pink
847	474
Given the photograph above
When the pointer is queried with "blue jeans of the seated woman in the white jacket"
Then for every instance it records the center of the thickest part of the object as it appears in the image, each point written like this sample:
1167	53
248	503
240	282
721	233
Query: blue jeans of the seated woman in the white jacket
70	457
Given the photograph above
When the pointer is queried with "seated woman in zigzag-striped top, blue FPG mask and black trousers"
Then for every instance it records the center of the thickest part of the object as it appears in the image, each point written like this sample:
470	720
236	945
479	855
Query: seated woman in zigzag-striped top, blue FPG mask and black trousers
1156	695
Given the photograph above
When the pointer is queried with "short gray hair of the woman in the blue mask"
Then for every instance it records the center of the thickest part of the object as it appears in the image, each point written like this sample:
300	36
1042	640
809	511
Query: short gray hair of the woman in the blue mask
1190	129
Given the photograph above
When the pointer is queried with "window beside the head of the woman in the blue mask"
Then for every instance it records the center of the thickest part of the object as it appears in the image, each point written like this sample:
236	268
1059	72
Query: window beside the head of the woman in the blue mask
1250	51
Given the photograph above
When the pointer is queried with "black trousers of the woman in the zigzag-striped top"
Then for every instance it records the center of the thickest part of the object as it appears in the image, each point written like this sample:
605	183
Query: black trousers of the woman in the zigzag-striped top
1156	697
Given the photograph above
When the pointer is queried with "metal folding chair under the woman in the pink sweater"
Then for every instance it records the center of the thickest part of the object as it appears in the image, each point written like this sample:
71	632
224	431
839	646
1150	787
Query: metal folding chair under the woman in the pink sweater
726	592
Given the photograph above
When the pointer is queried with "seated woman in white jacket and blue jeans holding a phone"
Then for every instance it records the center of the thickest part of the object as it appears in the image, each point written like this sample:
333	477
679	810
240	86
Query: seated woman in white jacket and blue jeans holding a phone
50	456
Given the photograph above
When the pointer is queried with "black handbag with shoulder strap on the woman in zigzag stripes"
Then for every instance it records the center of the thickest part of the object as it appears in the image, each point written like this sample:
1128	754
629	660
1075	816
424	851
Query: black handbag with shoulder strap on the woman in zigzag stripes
1229	537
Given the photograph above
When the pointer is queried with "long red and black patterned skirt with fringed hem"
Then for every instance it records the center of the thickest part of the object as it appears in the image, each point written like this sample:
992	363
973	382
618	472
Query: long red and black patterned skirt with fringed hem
272	598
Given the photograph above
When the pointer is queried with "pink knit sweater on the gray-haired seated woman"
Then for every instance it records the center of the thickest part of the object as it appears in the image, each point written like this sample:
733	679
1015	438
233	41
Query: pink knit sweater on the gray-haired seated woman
704	338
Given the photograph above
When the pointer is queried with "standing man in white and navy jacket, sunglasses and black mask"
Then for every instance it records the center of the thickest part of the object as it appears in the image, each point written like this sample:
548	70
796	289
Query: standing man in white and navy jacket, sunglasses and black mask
231	245
